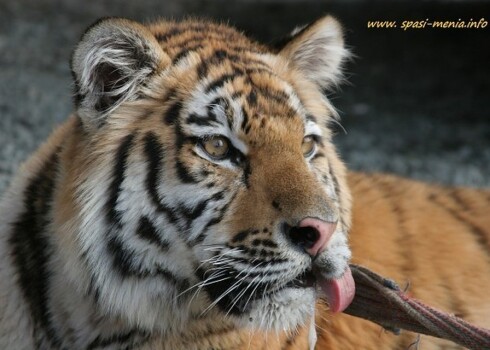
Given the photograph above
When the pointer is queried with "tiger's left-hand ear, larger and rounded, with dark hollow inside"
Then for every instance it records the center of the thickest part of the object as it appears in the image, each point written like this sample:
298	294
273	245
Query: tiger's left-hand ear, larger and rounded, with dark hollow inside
114	58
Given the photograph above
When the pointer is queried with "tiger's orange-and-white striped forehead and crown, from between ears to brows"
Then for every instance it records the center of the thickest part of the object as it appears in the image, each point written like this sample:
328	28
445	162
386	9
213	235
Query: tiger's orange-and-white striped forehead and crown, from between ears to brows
236	87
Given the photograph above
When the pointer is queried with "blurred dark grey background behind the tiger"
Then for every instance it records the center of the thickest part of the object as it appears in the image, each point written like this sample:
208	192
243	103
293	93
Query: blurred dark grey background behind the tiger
417	101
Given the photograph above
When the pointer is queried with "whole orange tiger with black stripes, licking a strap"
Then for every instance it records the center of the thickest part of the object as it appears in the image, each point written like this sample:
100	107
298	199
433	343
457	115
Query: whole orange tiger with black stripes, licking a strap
195	200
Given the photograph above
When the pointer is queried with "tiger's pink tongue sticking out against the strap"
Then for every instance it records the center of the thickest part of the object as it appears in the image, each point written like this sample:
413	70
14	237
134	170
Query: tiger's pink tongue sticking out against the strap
339	292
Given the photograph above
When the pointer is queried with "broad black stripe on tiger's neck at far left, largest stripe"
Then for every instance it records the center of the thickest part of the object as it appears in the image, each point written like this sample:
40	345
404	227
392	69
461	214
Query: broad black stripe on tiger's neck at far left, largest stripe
31	250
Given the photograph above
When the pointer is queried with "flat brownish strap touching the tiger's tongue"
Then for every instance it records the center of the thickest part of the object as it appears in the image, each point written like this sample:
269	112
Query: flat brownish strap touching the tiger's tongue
380	300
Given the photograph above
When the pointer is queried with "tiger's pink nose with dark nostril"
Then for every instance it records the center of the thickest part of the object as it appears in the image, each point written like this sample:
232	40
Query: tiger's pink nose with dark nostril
312	235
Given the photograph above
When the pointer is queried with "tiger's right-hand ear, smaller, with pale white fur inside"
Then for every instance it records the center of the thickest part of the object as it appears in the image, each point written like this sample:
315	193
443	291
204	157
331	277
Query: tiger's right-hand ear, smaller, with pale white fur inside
318	51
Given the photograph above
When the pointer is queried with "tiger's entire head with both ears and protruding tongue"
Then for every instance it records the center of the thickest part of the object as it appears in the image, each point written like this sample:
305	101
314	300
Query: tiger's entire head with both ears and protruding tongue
205	182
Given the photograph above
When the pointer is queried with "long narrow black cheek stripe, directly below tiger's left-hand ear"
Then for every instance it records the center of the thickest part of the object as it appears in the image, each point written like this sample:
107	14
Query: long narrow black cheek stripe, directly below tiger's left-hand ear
117	178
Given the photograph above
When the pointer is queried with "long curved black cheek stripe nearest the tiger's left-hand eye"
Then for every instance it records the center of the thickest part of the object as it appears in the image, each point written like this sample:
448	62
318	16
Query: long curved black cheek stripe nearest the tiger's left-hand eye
155	154
